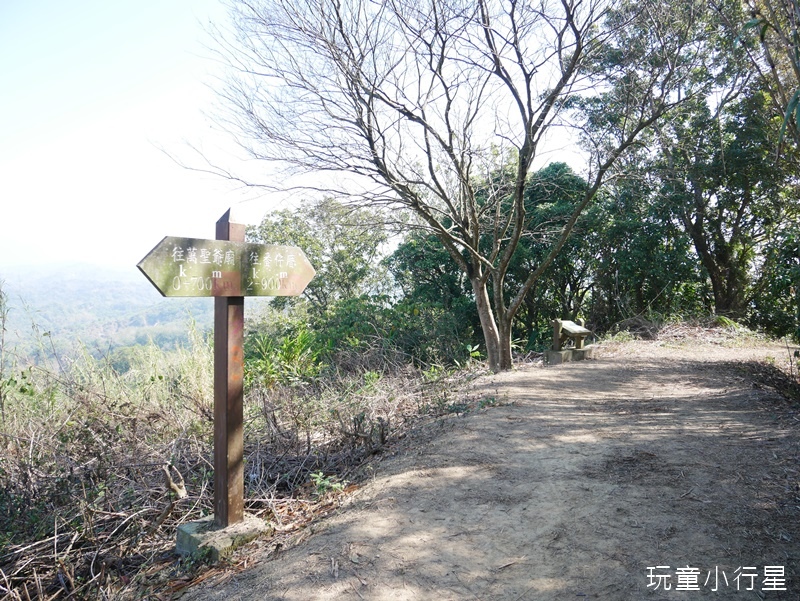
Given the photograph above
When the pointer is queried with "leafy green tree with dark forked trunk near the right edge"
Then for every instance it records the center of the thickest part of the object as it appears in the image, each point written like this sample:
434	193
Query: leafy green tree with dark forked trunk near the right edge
724	185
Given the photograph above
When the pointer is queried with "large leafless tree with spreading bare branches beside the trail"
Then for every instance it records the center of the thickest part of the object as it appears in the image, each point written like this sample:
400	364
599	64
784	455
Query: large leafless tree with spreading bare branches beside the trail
419	104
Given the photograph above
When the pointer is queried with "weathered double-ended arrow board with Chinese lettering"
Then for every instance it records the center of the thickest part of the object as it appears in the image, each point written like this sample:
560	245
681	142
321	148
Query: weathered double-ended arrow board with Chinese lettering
196	267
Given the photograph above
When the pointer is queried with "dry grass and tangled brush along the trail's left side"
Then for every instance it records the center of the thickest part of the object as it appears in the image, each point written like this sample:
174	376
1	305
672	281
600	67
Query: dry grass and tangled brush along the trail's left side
99	467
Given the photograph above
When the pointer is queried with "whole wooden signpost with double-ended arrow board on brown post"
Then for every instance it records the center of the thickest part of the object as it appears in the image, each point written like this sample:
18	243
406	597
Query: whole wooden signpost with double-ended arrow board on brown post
228	269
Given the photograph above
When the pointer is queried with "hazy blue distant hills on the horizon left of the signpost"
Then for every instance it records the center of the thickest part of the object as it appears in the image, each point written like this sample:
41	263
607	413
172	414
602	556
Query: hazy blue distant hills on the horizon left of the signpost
104	308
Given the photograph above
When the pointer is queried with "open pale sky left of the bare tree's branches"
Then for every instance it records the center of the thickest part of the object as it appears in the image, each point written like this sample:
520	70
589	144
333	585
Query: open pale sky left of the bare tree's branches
95	95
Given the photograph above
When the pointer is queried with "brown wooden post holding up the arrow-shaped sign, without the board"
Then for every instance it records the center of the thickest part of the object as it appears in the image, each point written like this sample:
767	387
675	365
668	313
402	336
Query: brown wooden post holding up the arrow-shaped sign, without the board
228	395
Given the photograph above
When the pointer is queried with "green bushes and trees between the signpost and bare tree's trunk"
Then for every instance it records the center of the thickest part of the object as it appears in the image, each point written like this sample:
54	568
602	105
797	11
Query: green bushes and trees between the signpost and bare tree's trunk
434	321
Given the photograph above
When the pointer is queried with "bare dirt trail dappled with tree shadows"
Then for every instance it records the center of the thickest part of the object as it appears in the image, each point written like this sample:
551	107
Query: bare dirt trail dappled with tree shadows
578	479
